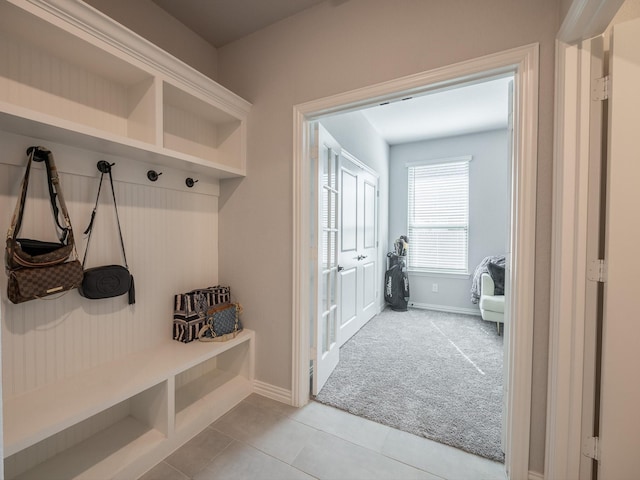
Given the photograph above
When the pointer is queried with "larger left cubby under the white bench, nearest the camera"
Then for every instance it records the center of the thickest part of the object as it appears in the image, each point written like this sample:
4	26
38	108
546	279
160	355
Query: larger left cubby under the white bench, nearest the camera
102	446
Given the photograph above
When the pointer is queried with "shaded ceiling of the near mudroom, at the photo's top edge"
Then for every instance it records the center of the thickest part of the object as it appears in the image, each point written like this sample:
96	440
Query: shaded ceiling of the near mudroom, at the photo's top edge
221	22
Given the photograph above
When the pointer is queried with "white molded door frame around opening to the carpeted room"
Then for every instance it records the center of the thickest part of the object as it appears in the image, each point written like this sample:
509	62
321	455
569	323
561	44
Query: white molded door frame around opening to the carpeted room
523	62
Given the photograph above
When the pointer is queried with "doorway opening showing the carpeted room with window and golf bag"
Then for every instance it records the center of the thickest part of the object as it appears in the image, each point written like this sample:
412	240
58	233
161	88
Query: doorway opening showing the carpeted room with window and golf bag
437	371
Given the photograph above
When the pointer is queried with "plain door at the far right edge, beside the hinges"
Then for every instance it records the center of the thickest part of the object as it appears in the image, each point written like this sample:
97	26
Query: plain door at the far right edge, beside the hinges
620	388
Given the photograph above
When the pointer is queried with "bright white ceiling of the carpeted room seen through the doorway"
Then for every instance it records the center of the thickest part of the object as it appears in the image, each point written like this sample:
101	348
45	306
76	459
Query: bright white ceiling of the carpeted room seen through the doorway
456	111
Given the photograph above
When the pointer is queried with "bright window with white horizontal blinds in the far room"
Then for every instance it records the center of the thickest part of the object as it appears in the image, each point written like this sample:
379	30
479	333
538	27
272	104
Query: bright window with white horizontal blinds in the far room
438	223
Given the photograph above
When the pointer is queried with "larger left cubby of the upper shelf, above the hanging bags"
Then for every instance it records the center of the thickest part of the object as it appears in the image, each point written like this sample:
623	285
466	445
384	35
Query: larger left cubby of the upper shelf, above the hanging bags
48	76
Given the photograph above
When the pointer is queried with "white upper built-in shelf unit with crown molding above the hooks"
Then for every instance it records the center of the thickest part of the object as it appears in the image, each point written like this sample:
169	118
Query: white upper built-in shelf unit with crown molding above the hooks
71	75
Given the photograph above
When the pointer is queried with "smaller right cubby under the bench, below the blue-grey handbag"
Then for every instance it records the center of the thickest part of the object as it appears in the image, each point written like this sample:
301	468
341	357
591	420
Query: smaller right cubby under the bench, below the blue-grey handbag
209	389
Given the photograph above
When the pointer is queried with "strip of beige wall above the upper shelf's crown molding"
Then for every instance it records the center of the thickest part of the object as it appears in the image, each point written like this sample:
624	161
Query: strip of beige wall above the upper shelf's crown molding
151	22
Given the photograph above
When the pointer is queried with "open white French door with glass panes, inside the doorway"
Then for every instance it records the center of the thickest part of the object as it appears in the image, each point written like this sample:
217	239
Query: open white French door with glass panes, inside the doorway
325	318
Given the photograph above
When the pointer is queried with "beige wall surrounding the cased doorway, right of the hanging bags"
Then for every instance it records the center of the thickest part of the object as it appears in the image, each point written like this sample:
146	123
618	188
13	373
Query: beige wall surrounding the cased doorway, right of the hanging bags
333	48
